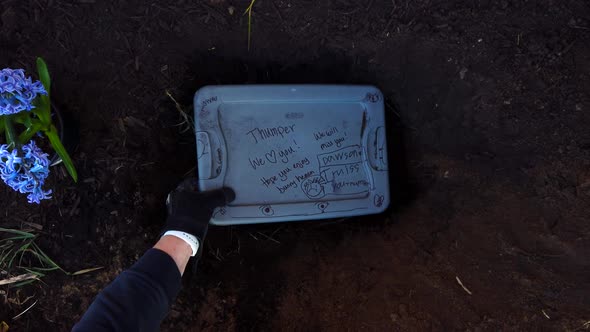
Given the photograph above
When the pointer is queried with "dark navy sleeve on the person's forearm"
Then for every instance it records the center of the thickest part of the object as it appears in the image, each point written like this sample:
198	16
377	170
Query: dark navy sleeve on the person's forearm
138	300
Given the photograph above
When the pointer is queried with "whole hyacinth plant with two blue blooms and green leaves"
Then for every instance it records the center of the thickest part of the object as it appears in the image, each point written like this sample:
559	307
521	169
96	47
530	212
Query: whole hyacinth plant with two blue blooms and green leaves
25	112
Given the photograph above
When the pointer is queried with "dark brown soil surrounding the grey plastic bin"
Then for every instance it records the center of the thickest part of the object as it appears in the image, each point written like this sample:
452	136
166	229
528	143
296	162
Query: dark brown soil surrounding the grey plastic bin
489	106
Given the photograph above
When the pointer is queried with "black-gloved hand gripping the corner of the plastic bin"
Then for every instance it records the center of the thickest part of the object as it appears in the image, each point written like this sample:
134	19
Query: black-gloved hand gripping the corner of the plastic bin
189	210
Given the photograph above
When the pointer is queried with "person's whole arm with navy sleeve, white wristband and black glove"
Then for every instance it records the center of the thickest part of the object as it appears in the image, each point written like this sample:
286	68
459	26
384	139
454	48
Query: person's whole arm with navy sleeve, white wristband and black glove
140	297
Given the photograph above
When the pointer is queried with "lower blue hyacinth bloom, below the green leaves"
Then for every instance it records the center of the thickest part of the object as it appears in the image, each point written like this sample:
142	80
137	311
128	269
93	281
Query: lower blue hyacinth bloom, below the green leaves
25	170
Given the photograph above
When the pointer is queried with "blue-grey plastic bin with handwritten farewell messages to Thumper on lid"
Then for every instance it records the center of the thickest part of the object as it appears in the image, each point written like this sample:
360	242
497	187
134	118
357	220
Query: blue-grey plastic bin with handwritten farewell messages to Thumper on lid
292	152
